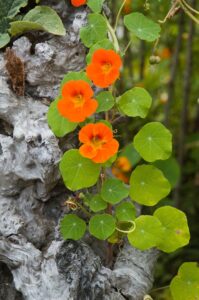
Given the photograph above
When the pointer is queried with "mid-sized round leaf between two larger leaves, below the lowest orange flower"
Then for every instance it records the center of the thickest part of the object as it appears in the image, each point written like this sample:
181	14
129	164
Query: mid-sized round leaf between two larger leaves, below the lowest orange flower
114	190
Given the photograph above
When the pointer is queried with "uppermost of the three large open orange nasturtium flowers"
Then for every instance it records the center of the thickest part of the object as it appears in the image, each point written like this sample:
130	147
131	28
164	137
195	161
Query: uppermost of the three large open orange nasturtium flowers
104	68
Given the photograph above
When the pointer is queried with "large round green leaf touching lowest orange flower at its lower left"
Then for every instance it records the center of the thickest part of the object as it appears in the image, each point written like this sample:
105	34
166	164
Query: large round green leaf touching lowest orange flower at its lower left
77	171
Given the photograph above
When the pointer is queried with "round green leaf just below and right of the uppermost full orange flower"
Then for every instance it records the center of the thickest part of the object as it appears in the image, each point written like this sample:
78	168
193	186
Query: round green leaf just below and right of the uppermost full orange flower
135	102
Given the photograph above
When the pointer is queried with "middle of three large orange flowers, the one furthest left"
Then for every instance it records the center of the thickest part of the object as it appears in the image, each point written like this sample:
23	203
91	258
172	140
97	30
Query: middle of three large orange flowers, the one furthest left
76	103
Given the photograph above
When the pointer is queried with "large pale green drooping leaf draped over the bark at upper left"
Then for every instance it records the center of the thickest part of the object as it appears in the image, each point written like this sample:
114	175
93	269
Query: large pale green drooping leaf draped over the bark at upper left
39	18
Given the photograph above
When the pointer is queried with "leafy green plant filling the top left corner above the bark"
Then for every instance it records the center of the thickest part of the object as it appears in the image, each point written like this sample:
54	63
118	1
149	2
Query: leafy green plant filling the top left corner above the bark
39	18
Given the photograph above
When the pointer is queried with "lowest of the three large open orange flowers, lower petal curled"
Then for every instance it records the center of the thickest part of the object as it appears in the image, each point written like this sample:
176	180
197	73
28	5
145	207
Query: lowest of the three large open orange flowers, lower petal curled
98	142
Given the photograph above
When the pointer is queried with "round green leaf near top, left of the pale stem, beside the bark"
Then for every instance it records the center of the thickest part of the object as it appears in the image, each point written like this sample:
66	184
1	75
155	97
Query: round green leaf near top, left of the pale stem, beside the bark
95	31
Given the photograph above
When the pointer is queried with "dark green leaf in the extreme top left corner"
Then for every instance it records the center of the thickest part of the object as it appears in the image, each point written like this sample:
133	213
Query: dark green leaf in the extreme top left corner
10	8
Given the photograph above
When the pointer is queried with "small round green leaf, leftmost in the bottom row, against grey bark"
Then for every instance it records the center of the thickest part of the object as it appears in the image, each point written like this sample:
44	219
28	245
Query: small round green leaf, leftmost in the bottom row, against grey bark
72	227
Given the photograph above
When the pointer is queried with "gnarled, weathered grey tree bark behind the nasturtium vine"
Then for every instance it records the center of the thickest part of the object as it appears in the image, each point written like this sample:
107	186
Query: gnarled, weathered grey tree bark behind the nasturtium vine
36	264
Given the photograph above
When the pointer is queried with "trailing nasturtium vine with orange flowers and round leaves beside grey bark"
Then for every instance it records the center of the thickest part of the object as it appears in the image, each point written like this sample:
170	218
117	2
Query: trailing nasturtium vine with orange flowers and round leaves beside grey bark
106	179
